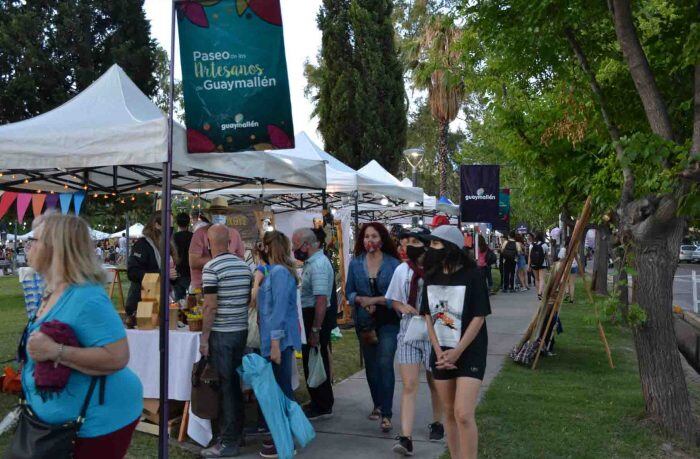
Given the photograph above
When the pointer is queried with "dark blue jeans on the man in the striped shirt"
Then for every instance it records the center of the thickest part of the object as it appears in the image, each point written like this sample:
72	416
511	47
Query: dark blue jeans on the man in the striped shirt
226	351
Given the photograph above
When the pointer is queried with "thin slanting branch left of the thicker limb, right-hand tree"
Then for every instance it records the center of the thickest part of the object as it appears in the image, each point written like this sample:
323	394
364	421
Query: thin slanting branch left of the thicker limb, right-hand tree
613	131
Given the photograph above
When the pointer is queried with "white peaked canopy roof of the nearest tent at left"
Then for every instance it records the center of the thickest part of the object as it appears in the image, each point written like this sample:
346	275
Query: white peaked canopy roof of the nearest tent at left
112	138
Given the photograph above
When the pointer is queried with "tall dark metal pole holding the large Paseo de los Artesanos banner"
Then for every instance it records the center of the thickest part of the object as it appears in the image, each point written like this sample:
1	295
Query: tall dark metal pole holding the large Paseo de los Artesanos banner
165	264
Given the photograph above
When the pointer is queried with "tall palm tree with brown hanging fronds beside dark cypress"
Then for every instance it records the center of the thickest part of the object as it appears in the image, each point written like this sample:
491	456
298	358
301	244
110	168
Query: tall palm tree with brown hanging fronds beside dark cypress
435	63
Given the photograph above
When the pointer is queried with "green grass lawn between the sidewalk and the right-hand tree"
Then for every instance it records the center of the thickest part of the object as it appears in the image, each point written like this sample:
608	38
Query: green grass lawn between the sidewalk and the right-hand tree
573	405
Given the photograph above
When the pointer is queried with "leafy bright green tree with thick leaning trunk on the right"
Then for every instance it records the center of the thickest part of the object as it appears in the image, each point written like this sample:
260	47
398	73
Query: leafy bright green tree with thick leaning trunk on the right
631	72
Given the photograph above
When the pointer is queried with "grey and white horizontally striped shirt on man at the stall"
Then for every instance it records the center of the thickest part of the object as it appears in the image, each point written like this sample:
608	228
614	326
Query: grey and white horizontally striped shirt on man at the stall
229	278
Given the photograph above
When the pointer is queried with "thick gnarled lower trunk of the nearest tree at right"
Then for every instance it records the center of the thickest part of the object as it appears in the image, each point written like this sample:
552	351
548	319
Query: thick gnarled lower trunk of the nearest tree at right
655	233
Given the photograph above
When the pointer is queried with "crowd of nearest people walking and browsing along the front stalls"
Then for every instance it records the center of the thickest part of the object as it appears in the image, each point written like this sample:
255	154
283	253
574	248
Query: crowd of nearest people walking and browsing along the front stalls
421	299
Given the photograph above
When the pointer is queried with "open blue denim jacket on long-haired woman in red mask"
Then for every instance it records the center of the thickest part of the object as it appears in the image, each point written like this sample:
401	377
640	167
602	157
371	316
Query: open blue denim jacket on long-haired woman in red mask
358	282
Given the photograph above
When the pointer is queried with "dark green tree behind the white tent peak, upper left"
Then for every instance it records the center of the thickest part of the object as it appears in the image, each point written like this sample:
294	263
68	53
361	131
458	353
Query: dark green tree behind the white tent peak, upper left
50	51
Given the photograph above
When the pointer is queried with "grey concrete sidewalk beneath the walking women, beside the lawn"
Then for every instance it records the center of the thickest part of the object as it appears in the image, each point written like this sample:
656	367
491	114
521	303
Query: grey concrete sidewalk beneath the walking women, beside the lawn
349	434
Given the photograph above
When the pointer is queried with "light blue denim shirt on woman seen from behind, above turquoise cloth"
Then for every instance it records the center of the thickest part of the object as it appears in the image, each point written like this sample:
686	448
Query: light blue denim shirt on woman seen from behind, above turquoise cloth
278	317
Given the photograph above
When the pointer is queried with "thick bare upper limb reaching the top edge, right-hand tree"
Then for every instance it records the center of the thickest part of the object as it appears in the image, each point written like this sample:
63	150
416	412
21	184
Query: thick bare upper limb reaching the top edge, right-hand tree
654	106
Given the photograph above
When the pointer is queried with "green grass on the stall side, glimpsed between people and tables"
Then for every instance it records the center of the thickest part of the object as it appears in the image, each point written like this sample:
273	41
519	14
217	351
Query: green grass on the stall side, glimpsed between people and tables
14	318
